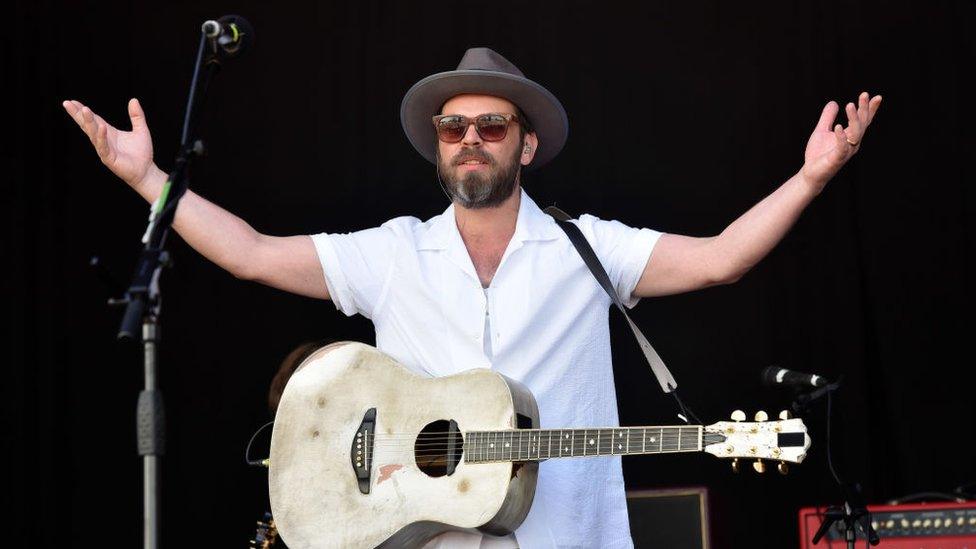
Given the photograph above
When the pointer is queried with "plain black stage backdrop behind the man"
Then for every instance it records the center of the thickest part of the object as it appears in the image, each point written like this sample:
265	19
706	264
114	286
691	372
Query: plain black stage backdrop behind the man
682	115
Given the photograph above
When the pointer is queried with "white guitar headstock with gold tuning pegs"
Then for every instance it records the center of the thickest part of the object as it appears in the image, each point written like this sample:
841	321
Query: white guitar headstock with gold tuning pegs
784	441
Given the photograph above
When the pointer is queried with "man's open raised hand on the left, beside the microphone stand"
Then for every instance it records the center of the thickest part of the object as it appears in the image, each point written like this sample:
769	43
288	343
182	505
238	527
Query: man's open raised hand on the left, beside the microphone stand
129	154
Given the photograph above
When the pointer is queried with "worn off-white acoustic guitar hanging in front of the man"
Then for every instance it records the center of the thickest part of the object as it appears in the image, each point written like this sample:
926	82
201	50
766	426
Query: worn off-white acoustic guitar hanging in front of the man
366	453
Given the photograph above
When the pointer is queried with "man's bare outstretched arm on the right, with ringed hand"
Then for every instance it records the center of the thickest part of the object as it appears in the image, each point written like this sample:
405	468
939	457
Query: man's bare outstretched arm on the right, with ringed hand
683	263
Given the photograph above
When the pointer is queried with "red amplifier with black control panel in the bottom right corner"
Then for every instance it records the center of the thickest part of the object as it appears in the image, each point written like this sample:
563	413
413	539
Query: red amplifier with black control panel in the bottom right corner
908	526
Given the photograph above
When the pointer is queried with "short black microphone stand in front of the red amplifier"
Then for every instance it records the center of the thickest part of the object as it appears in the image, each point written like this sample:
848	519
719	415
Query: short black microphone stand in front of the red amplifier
853	513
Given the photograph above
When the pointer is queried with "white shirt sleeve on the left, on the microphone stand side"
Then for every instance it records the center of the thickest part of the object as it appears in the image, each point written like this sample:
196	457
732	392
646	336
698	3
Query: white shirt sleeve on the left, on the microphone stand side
357	267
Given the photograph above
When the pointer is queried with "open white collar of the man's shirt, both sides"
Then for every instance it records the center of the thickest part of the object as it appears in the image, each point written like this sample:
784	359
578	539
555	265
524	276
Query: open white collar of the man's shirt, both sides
531	224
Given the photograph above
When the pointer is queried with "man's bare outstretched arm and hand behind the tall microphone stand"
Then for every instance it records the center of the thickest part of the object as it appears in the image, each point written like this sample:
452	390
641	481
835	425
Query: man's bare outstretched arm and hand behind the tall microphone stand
289	263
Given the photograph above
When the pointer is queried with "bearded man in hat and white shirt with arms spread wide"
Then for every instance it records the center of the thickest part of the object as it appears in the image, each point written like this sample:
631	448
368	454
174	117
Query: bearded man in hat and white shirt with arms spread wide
493	282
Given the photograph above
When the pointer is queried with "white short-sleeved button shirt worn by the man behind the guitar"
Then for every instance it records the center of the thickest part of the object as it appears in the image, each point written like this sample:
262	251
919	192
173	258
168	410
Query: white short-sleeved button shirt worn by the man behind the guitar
548	328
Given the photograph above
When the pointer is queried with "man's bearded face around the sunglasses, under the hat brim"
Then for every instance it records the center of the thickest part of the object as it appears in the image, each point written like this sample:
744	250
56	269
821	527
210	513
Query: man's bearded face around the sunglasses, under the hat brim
479	173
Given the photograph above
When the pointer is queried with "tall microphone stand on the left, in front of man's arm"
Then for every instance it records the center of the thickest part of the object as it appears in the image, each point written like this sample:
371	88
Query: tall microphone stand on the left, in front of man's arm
143	298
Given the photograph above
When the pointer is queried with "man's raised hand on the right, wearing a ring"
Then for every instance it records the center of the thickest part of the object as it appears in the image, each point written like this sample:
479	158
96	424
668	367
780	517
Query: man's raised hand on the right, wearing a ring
828	150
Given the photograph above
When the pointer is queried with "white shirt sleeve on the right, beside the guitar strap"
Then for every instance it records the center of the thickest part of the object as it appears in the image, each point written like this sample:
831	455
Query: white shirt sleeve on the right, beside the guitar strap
622	250
